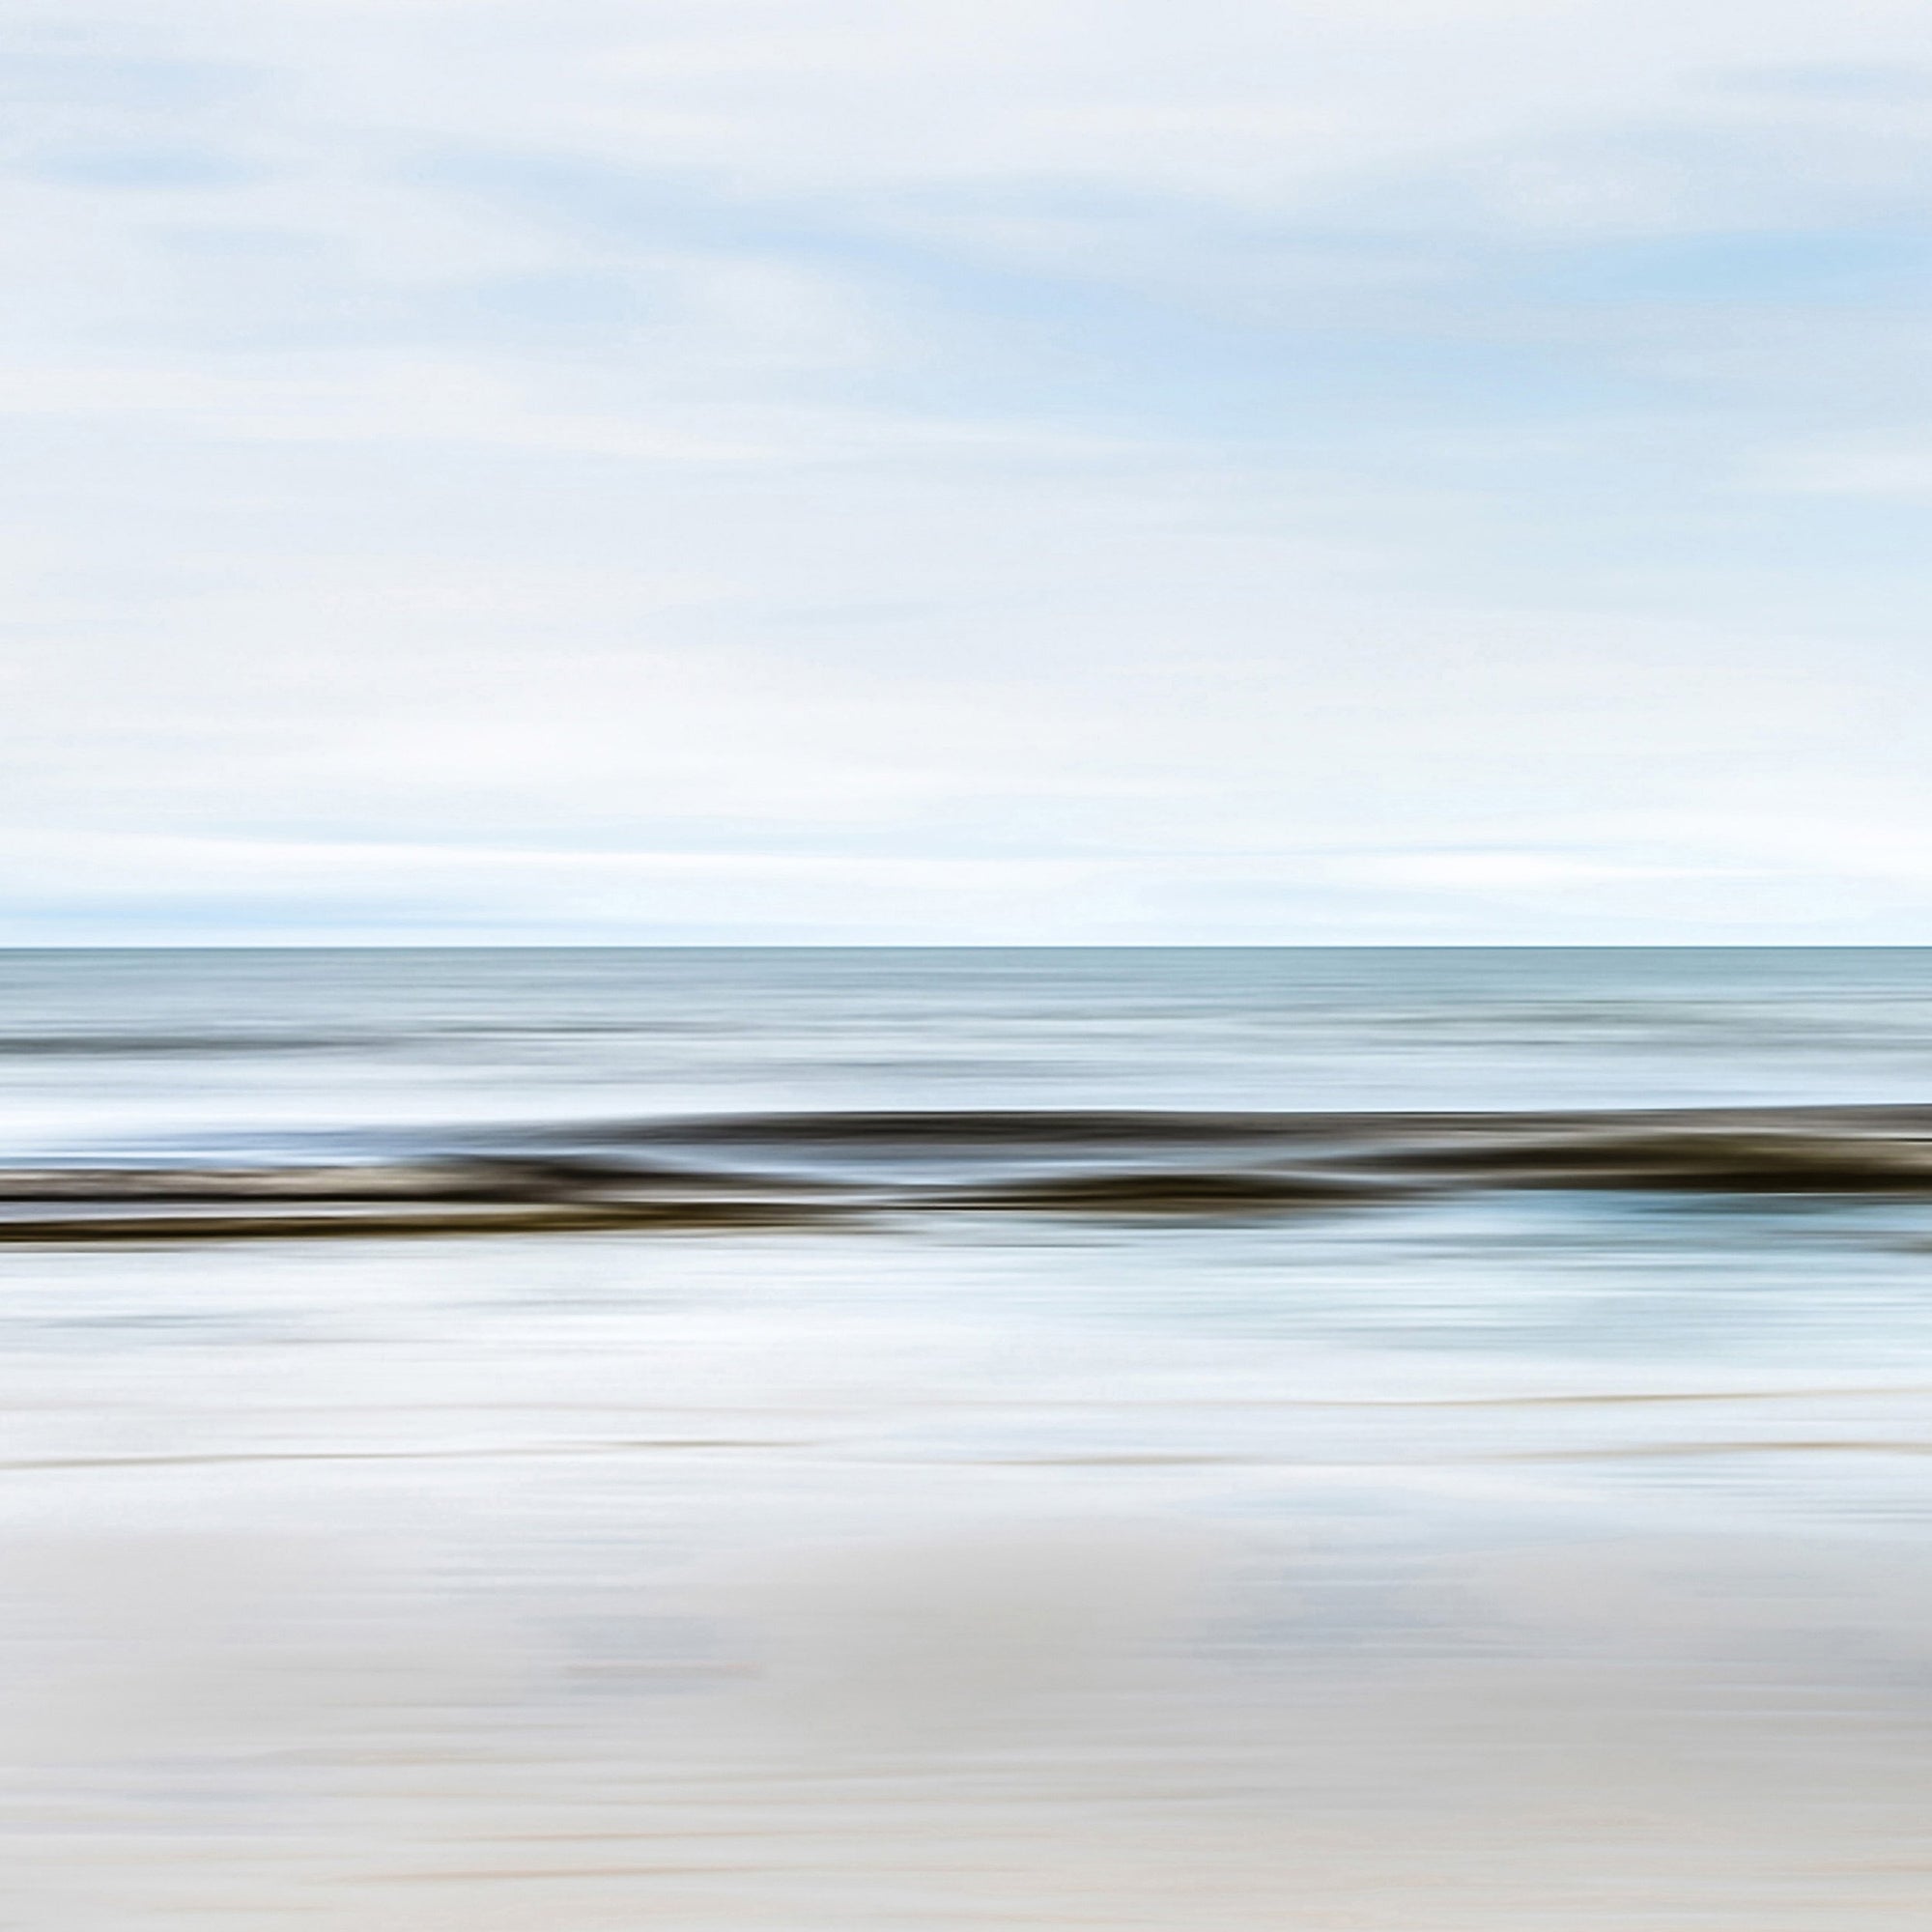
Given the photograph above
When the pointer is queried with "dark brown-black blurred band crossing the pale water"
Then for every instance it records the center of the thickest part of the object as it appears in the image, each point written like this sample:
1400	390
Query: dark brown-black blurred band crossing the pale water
743	1172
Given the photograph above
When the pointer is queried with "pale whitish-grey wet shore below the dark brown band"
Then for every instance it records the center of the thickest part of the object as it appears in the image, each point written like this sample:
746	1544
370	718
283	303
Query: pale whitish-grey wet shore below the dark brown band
822	1581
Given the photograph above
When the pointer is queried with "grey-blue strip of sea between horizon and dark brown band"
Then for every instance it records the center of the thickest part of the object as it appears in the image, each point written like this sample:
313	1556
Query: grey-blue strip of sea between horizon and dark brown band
159	1050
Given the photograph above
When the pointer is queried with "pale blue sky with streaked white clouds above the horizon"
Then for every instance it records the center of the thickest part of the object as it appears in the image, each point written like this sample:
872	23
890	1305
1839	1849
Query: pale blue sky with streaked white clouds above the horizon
1278	472
